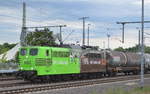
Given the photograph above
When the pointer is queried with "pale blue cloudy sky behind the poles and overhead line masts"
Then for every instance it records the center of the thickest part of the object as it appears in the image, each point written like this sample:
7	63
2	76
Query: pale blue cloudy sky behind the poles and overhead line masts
103	15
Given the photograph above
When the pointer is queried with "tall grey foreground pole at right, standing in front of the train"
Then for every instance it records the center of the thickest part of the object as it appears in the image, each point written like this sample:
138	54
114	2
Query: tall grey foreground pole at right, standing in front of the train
142	46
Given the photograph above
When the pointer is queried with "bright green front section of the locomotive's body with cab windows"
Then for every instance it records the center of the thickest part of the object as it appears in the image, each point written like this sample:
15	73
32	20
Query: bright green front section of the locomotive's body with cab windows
47	61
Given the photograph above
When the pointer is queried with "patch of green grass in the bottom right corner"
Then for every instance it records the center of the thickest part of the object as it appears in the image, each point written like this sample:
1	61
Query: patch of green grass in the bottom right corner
145	90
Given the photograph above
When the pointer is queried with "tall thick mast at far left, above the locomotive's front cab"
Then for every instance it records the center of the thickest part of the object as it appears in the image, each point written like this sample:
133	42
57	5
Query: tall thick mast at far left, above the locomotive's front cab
23	32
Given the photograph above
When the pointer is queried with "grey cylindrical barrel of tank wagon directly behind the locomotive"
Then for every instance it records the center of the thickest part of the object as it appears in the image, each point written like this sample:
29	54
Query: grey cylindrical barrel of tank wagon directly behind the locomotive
119	59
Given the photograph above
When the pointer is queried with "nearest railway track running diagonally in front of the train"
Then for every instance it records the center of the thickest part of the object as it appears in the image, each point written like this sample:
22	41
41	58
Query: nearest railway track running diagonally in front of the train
42	87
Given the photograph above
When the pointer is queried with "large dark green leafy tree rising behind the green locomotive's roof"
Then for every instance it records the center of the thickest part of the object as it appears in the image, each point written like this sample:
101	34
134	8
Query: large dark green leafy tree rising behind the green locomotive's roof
40	38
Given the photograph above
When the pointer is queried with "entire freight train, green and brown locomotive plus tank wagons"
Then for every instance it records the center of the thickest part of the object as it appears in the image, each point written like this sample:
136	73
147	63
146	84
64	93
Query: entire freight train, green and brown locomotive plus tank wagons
72	61
